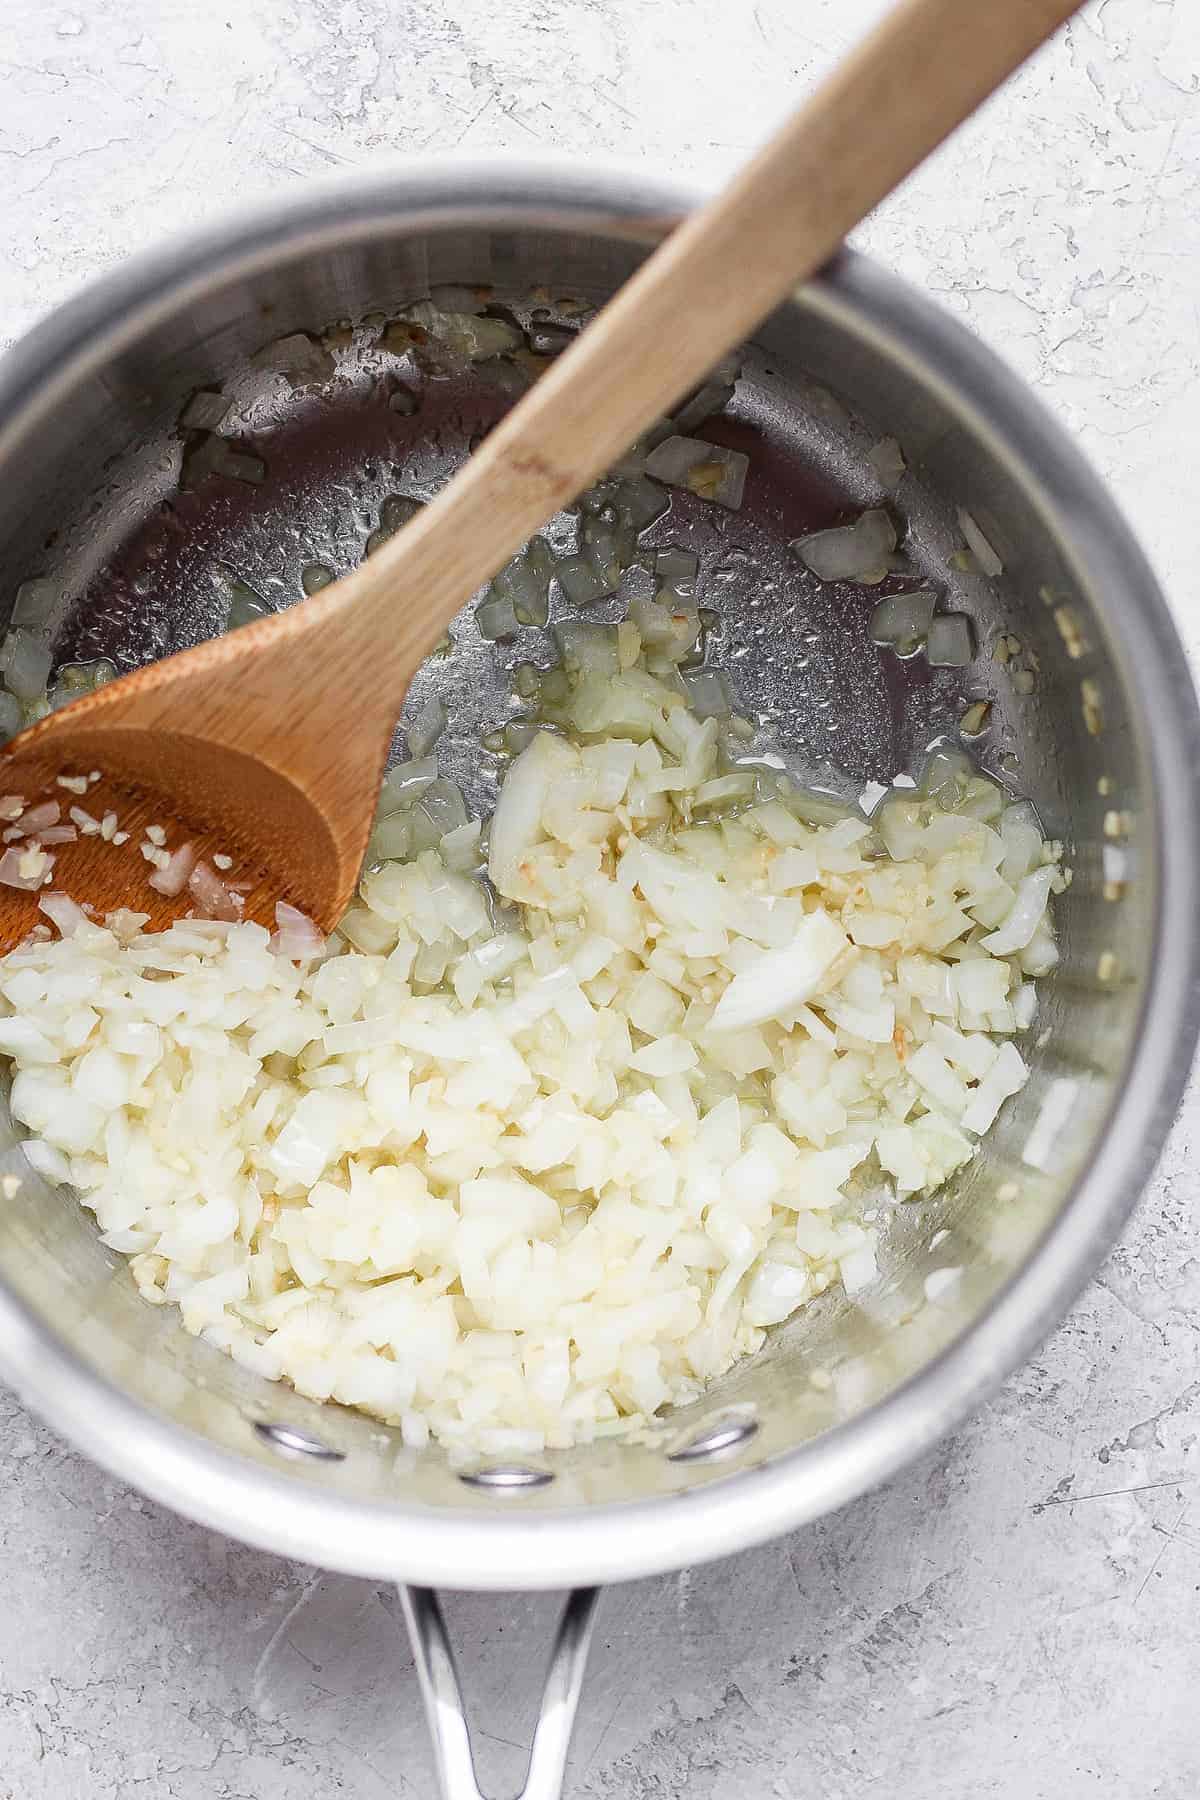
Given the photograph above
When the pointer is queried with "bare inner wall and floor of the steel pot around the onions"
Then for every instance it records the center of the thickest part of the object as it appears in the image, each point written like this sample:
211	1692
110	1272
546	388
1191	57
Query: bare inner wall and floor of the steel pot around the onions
93	499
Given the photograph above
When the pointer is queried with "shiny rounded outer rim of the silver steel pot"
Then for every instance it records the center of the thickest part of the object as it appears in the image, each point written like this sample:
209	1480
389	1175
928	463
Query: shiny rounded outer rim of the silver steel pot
631	1540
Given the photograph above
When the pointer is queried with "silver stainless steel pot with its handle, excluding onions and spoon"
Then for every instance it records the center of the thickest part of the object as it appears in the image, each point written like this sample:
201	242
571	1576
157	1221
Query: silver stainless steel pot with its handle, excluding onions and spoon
1106	742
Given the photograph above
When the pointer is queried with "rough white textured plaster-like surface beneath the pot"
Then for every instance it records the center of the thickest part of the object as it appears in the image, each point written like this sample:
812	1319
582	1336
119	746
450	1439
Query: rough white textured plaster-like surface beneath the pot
1014	1619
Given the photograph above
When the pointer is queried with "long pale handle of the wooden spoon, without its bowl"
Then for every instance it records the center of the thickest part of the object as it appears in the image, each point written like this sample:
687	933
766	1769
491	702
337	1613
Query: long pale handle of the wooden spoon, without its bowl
926	69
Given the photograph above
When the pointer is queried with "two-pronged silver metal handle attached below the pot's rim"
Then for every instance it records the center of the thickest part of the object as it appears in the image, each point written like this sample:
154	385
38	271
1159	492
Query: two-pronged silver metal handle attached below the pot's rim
447	1714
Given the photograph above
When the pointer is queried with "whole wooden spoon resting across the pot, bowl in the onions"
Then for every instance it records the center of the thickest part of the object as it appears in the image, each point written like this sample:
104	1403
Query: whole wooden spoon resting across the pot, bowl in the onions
269	746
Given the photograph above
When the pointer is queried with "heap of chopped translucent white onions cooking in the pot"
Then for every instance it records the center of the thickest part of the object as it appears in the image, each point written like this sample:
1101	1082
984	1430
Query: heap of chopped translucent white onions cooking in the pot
523	1160
